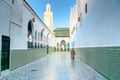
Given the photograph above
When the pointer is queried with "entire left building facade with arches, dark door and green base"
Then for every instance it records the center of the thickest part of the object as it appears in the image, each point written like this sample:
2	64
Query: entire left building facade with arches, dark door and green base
22	35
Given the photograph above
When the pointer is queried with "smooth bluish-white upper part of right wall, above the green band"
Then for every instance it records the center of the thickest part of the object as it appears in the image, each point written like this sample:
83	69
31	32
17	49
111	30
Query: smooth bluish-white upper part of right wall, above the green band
100	26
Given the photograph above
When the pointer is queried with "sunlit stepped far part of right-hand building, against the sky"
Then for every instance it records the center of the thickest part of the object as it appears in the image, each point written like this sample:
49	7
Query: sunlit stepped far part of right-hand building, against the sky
76	13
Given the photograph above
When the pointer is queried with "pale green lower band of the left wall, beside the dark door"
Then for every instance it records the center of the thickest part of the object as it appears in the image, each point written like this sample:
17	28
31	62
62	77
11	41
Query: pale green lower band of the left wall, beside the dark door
22	57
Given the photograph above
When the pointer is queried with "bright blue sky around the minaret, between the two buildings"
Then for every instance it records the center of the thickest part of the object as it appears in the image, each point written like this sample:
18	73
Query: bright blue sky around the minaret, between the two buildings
60	8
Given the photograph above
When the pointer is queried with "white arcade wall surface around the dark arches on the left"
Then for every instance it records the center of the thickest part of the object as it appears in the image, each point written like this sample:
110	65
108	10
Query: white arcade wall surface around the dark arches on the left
38	24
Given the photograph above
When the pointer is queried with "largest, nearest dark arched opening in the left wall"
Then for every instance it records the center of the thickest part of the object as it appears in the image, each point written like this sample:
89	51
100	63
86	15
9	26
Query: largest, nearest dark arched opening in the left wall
30	35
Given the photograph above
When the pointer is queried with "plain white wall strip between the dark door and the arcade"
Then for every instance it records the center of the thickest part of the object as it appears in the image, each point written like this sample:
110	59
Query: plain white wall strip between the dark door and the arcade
16	41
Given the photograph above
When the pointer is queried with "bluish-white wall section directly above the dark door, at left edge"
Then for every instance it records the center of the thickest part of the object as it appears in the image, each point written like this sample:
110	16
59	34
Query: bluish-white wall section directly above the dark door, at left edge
5	16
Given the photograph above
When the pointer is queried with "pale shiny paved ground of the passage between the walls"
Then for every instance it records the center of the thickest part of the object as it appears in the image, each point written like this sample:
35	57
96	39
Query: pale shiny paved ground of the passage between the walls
57	66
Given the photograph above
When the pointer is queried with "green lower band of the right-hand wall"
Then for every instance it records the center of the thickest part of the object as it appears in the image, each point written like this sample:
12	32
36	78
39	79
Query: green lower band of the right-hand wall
105	60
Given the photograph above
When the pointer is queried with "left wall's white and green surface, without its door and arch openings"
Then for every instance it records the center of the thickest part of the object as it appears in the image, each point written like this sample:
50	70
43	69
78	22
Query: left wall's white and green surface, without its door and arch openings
14	19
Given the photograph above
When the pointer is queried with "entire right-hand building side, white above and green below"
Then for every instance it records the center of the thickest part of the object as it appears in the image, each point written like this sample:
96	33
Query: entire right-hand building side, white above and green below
96	36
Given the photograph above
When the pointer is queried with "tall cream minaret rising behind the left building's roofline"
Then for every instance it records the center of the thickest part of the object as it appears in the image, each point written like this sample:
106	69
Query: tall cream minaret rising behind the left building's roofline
48	17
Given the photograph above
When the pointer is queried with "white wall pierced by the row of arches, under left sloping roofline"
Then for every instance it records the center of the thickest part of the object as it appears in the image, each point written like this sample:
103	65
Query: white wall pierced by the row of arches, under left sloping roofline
38	26
